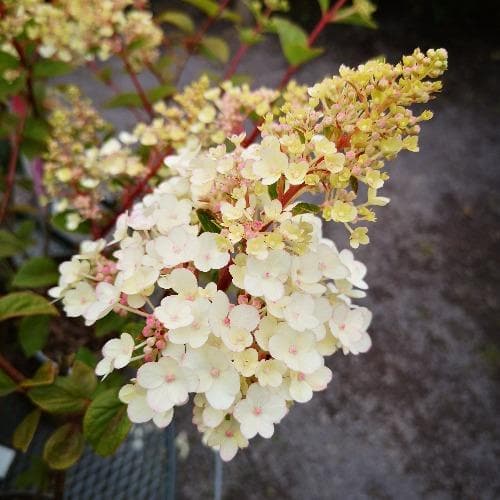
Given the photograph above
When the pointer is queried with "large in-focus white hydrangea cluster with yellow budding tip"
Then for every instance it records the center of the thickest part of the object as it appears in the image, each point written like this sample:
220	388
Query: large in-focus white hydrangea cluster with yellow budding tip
242	295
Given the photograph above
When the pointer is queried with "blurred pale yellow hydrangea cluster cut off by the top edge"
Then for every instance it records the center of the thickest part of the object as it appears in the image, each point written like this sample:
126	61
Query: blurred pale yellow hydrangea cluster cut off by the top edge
66	29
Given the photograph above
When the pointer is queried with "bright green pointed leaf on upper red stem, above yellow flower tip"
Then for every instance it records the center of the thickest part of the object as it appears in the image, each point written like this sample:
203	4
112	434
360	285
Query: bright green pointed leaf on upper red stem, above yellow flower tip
293	41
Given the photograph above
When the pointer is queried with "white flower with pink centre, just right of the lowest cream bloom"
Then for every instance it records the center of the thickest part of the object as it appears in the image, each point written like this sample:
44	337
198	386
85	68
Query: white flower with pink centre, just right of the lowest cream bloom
259	411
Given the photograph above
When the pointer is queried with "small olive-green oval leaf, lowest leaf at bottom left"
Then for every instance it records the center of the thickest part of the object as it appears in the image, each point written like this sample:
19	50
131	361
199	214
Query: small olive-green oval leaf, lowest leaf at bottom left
64	447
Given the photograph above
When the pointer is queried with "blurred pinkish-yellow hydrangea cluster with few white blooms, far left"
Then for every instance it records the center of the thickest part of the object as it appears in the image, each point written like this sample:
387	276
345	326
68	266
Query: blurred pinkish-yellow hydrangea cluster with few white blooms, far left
81	166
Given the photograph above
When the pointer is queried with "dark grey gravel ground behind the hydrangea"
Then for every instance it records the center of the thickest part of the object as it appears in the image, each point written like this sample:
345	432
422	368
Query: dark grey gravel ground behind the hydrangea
416	417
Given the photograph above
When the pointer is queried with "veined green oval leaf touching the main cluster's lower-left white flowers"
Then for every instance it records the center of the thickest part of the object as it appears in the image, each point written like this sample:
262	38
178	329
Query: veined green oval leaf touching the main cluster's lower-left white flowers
105	424
